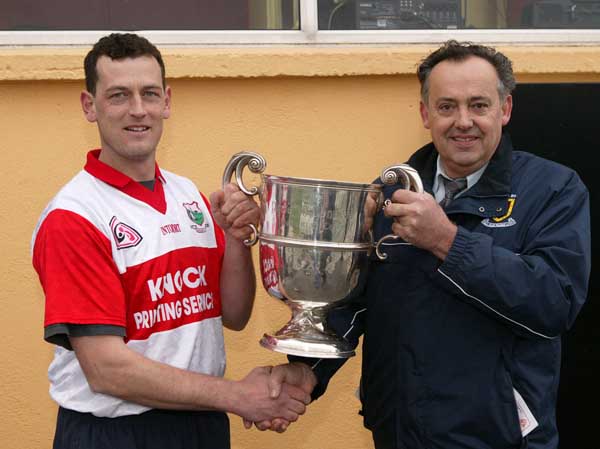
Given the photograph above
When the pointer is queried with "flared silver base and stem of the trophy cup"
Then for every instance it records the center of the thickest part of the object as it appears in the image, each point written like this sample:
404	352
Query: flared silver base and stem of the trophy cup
306	335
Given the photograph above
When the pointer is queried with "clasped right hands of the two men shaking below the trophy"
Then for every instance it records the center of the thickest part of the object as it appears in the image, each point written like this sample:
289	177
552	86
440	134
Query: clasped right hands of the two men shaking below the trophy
274	397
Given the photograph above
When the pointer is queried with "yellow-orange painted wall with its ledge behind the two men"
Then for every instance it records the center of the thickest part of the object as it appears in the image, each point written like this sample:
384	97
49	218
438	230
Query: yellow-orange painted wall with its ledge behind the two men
337	113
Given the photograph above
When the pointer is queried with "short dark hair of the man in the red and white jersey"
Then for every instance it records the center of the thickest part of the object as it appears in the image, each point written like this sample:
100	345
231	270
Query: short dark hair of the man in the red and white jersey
119	46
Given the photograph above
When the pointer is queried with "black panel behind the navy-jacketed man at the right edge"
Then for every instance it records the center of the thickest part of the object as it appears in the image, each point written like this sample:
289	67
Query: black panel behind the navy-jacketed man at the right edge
559	122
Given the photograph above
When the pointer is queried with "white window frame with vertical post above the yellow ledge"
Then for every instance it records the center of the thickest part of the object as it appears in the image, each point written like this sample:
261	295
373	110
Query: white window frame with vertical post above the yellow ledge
310	34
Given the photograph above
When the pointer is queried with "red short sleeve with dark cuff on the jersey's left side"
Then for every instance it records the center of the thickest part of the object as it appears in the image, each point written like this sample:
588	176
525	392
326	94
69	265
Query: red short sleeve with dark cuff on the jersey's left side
81	282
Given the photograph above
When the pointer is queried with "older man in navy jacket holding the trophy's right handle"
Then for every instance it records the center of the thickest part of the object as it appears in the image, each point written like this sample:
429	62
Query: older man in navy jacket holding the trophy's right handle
462	321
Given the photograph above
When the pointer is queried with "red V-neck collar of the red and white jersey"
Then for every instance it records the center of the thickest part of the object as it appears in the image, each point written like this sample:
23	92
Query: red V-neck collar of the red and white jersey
125	184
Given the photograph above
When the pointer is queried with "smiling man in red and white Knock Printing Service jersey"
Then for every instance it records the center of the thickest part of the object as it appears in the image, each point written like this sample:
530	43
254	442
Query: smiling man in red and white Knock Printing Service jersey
140	273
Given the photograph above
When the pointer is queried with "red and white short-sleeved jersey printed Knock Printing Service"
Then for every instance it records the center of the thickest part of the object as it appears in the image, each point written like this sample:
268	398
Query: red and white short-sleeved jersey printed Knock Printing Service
112	253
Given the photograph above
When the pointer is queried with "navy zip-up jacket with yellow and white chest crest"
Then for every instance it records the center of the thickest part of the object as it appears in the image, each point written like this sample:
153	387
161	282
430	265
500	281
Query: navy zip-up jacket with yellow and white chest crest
446	343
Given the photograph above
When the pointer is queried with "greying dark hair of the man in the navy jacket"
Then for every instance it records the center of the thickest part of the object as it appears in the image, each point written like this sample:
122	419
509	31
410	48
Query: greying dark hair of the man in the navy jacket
459	51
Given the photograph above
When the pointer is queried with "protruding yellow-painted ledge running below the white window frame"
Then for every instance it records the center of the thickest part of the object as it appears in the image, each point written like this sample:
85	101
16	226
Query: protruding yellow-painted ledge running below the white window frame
47	63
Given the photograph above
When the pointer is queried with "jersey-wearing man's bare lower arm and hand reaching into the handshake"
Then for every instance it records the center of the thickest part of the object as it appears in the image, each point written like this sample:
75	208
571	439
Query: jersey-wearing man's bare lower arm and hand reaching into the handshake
112	368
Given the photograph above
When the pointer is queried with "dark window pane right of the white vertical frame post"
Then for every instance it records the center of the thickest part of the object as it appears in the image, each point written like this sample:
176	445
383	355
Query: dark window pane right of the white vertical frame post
457	14
